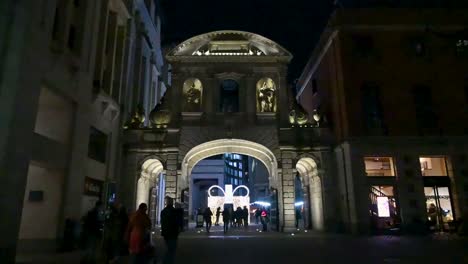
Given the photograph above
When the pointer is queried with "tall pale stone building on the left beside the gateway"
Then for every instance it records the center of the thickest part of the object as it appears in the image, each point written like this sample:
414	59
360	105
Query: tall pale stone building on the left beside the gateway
61	125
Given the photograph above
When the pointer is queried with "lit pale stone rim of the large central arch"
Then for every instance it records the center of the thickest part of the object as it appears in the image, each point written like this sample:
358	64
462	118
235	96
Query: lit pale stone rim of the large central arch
221	146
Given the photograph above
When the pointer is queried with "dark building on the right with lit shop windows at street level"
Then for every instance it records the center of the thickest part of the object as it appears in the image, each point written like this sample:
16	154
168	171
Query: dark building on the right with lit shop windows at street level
392	85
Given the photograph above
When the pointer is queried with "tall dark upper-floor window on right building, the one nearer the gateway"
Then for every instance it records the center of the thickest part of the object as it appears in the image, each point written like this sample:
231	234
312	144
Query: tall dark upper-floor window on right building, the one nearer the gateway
372	108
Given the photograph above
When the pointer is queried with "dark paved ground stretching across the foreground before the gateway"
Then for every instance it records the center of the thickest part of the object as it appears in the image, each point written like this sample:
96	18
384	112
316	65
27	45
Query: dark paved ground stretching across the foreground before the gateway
251	246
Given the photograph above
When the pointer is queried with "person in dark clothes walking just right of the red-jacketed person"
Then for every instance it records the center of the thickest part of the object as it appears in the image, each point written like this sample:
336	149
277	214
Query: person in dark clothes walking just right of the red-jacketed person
170	229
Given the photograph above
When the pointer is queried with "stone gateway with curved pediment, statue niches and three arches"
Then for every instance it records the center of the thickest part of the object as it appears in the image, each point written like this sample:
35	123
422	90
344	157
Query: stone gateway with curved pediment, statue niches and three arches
229	94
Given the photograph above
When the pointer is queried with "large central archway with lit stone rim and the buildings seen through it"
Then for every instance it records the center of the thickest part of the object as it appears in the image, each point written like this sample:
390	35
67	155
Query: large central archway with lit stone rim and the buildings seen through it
237	162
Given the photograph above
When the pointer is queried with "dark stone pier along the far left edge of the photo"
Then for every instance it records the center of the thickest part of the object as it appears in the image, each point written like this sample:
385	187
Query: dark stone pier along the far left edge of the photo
18	106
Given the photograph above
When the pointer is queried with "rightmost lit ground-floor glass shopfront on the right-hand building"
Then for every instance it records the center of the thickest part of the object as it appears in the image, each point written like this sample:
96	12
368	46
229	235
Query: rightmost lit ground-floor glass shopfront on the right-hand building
439	208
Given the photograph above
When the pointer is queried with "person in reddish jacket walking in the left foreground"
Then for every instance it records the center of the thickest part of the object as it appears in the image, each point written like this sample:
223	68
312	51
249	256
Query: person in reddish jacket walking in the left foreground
139	235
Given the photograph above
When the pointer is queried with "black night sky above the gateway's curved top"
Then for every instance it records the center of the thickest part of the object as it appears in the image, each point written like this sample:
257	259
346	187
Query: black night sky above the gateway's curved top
294	24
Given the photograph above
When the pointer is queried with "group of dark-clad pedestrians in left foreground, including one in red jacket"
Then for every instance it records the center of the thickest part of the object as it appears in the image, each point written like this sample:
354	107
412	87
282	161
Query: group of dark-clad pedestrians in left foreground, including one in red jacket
115	234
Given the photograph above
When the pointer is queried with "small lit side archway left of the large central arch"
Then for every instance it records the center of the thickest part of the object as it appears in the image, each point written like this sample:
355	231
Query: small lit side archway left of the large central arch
150	188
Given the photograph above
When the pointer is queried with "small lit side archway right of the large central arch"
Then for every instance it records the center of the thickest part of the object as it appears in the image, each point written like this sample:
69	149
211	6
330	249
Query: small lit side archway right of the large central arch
310	183
